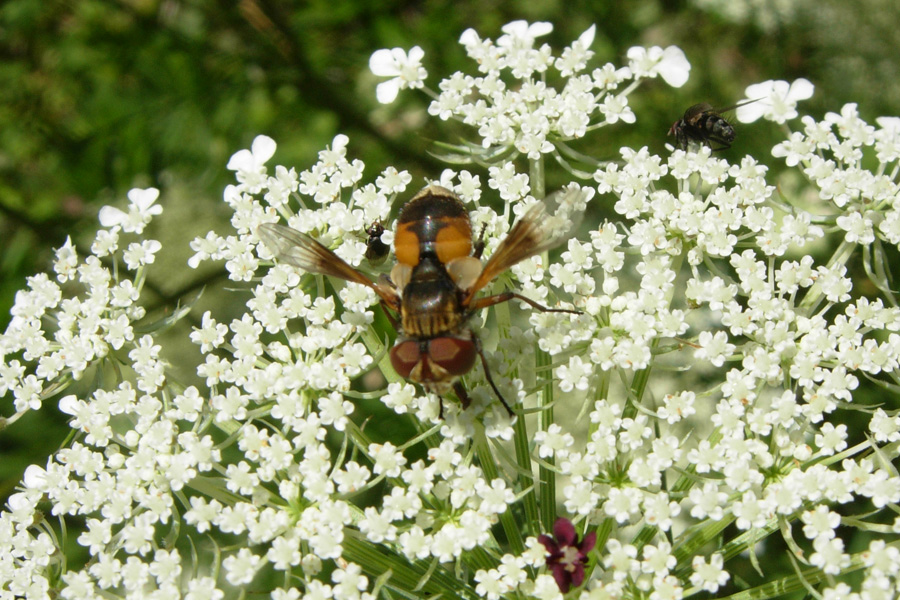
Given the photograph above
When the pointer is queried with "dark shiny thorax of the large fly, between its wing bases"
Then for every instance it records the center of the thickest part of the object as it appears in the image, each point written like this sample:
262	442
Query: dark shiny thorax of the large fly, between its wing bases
430	305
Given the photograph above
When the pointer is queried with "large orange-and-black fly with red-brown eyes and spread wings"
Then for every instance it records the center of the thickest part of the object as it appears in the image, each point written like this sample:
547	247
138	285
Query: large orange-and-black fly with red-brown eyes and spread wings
432	290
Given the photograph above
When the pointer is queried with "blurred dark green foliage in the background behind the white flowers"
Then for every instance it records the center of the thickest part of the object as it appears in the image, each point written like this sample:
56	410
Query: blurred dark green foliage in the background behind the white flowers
97	97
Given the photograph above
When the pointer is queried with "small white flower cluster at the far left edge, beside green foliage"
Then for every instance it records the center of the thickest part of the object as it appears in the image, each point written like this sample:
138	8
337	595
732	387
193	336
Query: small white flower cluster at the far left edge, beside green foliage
59	337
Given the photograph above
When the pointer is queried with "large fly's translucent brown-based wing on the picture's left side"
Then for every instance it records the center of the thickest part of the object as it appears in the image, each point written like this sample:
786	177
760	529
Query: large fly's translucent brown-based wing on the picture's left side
301	250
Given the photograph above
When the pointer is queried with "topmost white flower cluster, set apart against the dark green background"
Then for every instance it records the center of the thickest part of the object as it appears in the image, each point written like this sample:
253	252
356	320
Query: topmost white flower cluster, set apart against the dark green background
527	113
